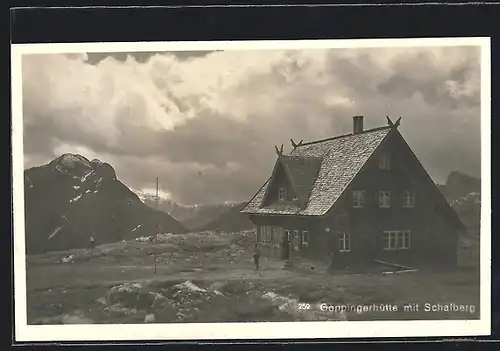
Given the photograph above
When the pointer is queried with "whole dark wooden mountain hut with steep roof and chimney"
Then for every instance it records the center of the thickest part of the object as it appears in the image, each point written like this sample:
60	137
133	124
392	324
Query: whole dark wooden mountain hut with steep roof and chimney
353	199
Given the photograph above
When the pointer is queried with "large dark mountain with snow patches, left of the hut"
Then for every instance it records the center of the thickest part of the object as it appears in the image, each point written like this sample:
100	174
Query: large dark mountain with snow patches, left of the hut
71	198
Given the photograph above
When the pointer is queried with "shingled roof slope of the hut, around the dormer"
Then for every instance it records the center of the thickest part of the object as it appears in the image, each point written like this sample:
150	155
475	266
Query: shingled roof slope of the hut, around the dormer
320	171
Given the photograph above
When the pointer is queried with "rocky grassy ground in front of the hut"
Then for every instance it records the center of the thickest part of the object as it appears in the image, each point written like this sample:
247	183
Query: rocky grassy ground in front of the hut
208	277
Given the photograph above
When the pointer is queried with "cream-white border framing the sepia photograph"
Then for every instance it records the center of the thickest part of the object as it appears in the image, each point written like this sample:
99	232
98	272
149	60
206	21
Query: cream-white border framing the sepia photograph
248	330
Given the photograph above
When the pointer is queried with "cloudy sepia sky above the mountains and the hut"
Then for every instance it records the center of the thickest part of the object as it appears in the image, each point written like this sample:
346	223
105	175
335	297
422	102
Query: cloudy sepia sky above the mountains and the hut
206	123
